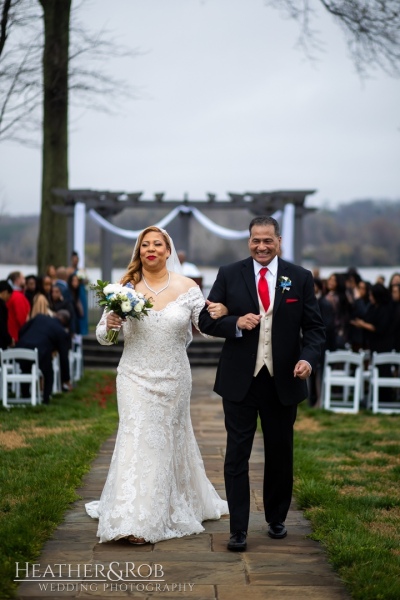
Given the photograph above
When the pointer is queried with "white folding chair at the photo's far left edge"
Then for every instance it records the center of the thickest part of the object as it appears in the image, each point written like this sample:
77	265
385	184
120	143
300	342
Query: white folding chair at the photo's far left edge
14	377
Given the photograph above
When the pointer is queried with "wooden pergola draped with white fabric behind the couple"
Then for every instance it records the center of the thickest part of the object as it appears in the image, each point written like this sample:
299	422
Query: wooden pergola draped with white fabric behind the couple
286	206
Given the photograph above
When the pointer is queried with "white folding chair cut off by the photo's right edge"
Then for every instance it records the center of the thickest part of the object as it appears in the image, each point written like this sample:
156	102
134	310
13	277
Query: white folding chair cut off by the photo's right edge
378	381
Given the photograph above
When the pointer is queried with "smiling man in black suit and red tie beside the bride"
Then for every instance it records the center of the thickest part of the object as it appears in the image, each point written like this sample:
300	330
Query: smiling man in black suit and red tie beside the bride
274	335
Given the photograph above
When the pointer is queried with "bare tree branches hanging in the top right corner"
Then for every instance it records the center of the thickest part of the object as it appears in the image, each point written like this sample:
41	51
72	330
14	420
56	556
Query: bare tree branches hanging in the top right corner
371	29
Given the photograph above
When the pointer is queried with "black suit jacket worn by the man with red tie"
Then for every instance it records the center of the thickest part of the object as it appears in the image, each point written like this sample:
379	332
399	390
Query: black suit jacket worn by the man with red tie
297	330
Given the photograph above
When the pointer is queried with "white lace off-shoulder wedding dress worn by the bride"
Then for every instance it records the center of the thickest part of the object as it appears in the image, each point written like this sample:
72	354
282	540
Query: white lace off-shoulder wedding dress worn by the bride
156	487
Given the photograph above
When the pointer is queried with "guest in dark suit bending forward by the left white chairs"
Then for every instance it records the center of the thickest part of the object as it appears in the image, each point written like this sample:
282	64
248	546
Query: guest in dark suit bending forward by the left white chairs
48	335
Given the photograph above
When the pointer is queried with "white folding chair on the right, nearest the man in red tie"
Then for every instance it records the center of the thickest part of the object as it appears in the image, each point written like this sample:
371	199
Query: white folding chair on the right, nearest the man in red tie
344	369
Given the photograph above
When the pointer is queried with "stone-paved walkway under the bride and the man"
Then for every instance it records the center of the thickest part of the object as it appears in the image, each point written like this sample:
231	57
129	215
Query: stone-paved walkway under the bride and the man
196	567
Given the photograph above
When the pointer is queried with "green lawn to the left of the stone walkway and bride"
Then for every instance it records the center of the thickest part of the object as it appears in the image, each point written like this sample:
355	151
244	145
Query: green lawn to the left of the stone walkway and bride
44	453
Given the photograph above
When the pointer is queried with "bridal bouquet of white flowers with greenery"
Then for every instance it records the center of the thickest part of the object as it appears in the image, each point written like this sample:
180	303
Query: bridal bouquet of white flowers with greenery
123	300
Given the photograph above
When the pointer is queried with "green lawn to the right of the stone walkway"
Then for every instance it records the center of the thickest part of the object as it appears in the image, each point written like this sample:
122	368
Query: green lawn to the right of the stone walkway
347	472
